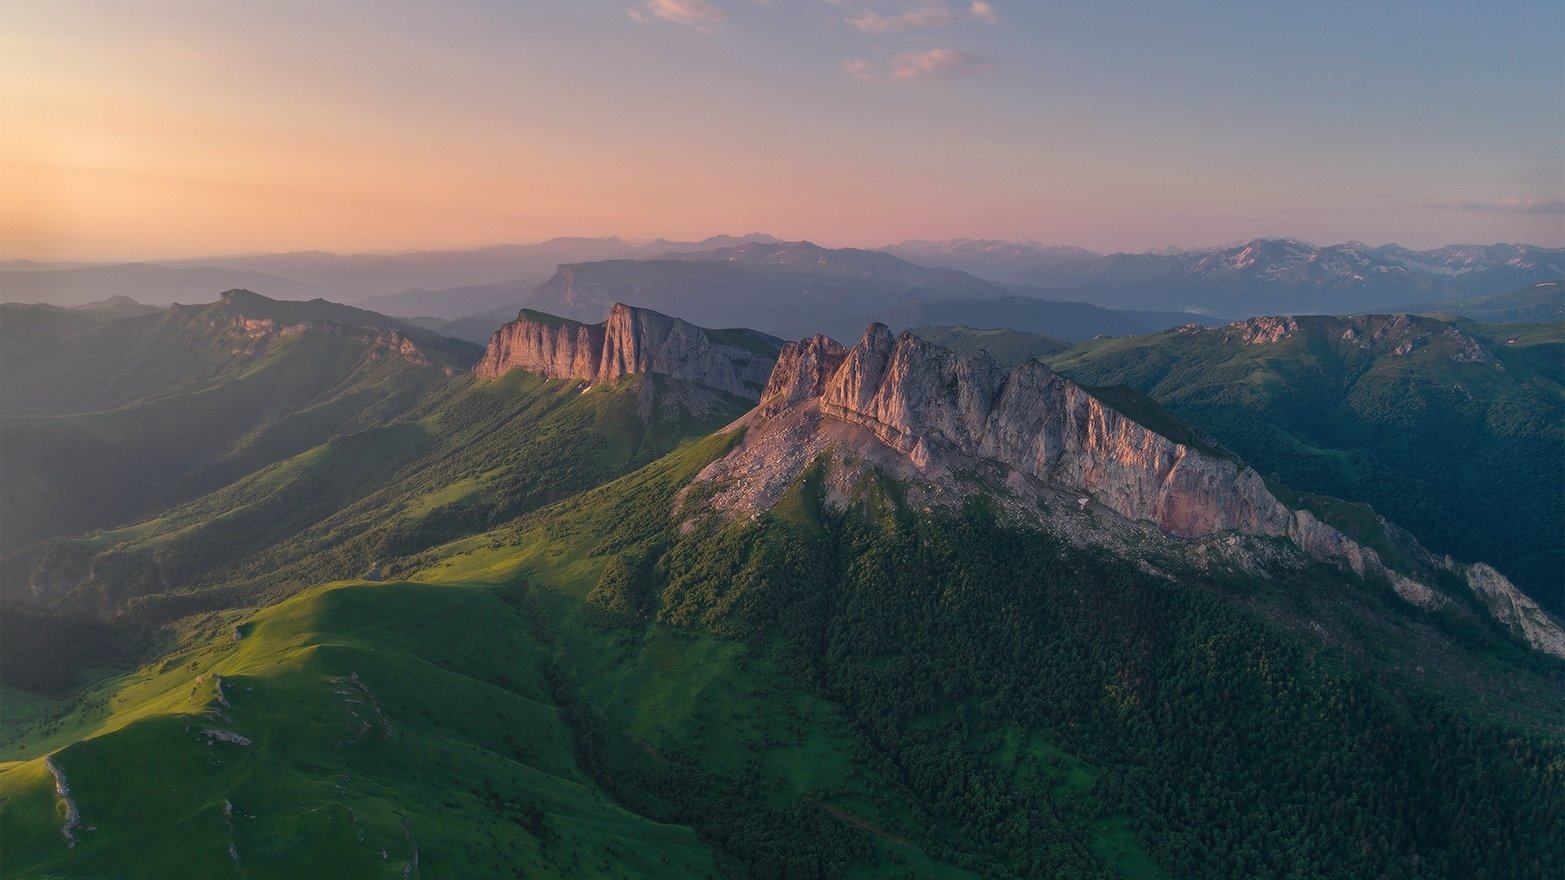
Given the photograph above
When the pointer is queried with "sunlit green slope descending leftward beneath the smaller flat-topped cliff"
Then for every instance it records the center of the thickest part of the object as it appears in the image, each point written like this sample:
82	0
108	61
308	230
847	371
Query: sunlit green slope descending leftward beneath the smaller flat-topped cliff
481	455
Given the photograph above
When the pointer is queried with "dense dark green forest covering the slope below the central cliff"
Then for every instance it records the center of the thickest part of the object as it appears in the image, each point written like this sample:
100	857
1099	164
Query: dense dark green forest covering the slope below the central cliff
1229	729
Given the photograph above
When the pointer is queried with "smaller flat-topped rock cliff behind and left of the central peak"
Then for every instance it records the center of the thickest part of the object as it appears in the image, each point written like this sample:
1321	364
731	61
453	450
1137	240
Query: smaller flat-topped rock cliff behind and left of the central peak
631	341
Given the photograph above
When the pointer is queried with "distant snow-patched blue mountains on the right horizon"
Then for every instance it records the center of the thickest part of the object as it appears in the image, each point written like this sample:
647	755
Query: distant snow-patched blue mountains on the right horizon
1293	278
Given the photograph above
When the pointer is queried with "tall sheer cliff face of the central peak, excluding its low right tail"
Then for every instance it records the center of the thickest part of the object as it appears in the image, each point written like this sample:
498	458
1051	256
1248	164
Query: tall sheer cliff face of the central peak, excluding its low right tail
926	402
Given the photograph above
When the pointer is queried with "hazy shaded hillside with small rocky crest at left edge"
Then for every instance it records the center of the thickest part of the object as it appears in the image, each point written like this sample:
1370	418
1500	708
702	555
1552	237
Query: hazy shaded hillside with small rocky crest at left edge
212	394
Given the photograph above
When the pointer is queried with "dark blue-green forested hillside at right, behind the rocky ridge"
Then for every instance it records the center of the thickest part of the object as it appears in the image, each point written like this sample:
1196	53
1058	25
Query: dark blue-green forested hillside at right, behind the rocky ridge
1453	431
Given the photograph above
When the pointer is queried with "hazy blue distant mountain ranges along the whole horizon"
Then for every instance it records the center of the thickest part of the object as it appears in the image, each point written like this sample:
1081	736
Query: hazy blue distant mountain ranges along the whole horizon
1240	281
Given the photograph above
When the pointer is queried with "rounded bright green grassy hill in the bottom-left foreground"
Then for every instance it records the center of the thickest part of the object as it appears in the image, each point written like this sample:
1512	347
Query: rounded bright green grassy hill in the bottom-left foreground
390	726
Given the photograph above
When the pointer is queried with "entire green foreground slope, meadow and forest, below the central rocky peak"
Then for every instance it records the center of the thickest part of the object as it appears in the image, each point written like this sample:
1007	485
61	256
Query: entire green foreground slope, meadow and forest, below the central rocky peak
597	691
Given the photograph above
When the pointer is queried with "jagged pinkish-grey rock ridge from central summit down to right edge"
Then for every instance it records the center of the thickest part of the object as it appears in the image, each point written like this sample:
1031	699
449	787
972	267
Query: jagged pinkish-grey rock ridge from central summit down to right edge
935	409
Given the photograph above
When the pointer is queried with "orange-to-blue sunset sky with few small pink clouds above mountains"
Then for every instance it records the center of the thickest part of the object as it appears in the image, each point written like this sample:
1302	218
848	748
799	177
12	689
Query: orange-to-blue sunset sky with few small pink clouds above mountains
193	128
